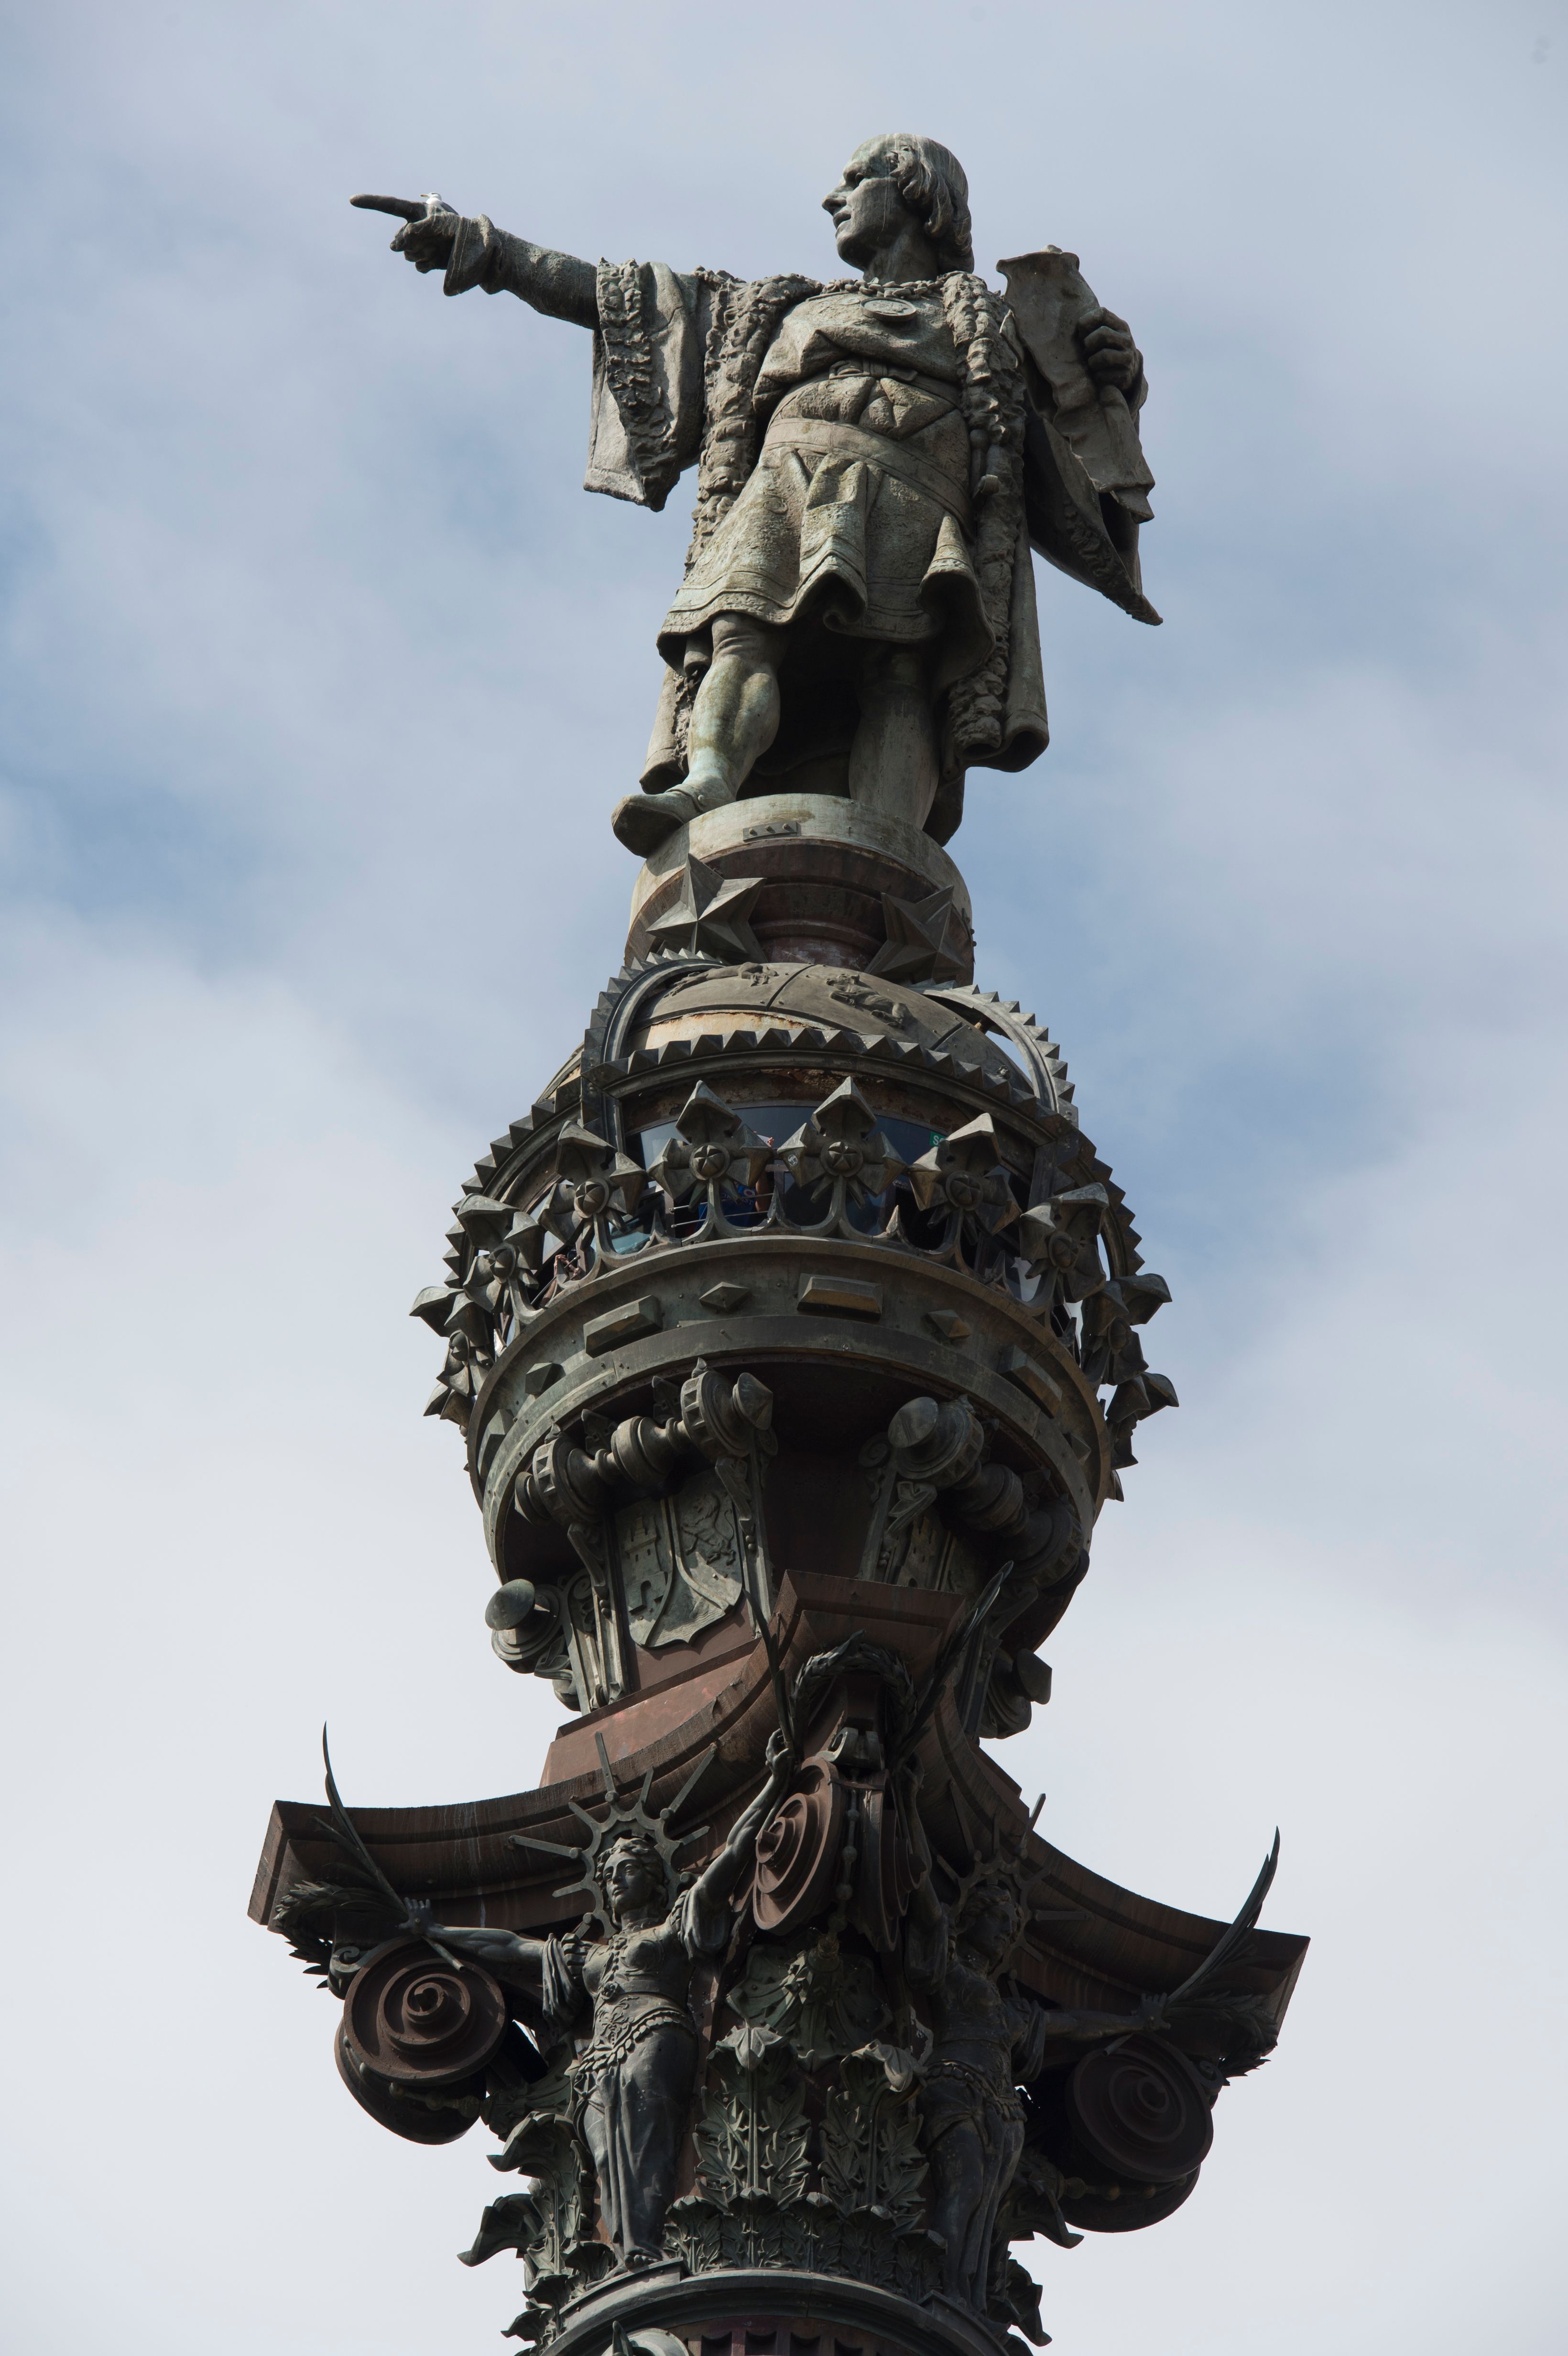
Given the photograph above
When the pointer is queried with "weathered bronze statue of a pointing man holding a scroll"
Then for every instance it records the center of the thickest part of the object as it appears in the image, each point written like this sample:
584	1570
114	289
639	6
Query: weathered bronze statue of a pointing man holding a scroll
875	463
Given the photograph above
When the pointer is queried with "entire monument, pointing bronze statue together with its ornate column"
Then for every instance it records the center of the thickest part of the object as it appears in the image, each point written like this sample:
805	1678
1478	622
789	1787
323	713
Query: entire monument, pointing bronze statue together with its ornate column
797	1342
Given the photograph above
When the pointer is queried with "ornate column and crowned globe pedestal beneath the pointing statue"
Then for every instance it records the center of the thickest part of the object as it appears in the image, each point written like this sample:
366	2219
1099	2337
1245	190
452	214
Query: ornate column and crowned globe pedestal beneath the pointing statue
797	1344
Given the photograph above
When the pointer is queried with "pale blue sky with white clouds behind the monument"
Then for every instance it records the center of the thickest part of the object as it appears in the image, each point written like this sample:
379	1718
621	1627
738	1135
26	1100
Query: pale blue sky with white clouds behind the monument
319	680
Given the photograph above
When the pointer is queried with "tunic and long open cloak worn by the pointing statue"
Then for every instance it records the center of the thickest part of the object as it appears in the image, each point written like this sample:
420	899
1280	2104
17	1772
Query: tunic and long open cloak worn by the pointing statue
842	496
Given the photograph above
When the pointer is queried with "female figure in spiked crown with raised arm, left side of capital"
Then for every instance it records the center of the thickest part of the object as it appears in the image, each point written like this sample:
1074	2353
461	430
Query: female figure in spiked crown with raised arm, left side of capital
634	2077
